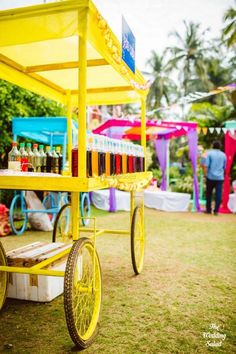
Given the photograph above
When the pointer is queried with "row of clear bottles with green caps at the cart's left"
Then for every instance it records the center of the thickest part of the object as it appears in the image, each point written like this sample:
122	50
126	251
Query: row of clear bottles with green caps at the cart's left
35	160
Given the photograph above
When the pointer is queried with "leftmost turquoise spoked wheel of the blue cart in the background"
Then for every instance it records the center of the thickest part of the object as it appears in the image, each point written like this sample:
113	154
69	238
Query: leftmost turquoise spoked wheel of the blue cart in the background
18	218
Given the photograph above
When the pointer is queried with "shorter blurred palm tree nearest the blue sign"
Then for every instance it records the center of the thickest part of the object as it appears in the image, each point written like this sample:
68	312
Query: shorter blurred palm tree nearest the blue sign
162	86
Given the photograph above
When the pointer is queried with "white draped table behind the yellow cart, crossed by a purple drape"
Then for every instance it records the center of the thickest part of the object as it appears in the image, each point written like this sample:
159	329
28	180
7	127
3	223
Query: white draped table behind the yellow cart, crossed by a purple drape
101	199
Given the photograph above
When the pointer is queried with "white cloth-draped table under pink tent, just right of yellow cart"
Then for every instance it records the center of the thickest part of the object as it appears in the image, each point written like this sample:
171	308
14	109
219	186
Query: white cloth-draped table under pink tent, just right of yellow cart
167	201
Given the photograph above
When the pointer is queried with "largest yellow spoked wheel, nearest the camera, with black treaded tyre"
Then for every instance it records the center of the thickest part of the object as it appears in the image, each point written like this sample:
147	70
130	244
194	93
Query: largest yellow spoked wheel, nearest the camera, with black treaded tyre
82	292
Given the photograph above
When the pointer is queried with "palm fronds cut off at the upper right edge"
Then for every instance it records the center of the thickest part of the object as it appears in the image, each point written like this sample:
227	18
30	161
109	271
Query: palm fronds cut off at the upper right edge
229	32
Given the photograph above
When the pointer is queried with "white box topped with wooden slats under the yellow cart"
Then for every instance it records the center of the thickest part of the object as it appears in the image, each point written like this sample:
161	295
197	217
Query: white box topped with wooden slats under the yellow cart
36	287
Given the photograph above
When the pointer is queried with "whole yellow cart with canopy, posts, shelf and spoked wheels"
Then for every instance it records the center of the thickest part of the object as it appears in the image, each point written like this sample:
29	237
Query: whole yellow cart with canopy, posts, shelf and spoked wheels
65	51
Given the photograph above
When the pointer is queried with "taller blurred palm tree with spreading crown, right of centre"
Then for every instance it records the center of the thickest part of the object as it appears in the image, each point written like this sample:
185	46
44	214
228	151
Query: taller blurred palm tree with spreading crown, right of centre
189	57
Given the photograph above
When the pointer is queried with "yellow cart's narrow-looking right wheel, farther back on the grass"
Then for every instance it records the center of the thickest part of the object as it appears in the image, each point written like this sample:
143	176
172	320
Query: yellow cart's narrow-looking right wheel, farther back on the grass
137	240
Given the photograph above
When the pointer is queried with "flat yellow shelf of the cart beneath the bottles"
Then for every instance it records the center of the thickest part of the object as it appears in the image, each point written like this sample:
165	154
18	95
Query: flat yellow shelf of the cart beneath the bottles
126	182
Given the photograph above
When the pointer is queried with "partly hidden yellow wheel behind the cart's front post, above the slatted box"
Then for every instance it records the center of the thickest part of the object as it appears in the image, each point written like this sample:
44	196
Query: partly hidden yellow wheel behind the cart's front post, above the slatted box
62	229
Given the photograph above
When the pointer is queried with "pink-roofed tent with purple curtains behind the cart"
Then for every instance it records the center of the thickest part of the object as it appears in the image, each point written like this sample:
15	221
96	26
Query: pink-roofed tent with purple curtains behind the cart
161	132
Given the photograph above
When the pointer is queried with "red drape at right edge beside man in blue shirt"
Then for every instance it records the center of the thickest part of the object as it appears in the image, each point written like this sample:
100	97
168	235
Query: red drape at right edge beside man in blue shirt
230	151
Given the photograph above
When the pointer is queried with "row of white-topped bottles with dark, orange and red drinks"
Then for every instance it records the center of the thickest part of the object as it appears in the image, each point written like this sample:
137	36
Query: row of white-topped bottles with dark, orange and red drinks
109	157
